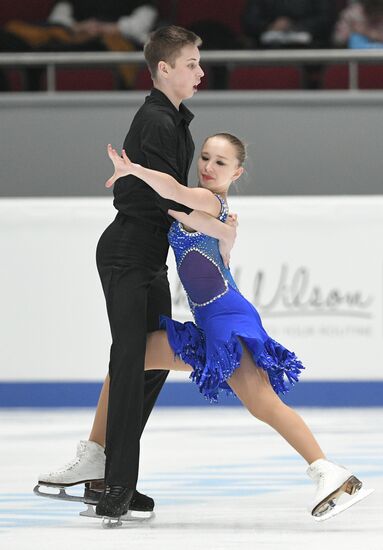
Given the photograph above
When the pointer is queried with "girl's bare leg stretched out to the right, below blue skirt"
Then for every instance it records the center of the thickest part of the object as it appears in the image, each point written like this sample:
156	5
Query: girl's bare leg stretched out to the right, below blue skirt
251	384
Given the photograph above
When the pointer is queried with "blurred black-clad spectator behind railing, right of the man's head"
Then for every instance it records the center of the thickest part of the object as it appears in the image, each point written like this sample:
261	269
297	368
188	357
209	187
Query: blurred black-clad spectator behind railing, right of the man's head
291	24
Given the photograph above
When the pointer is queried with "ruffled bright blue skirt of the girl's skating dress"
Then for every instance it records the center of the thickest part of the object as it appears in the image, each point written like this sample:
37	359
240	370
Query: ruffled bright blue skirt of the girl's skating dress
213	346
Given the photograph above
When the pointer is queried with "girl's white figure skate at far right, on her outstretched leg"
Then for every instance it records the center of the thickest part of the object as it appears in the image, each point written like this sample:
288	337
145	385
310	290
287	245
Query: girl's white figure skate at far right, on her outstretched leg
337	489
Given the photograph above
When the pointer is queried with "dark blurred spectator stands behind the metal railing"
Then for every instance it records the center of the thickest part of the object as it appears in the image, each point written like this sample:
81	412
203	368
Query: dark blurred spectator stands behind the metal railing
124	25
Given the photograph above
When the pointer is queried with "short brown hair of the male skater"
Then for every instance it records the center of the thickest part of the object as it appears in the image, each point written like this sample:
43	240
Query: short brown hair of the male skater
165	44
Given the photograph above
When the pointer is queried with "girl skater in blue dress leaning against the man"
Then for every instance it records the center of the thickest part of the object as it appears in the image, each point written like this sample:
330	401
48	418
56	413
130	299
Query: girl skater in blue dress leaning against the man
227	347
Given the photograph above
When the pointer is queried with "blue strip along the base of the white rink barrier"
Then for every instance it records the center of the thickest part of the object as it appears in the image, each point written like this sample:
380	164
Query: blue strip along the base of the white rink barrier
179	394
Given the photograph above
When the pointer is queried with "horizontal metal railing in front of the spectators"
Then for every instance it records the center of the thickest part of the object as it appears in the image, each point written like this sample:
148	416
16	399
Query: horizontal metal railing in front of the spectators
230	58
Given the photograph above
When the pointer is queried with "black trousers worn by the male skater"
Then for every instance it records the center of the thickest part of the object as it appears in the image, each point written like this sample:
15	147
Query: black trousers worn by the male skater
131	263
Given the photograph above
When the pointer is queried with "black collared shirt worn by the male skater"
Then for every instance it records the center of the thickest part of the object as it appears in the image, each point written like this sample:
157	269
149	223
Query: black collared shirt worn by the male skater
159	138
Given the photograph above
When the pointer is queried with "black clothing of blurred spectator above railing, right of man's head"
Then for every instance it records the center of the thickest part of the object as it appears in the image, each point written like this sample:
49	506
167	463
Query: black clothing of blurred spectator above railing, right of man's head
313	16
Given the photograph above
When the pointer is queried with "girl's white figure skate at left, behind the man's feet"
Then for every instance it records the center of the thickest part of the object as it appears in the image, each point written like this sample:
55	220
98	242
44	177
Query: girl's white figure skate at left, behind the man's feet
88	466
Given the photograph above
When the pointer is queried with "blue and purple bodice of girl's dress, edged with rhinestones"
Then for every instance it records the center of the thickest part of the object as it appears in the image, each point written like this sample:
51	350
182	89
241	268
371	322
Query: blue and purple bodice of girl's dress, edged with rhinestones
200	267
